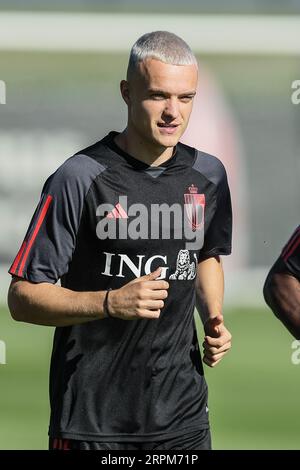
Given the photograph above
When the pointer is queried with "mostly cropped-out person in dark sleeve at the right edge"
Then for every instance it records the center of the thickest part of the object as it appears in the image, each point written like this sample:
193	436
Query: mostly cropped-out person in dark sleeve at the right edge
282	286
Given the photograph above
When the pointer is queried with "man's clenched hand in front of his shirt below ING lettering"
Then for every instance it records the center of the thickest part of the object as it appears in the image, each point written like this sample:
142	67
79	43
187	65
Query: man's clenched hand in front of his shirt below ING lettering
141	298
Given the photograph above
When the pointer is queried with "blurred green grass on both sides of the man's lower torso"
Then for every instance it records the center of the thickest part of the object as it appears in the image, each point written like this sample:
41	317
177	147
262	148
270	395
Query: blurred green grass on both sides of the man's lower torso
253	394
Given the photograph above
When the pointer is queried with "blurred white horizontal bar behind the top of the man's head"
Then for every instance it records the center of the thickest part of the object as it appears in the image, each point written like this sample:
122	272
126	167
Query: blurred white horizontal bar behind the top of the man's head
234	34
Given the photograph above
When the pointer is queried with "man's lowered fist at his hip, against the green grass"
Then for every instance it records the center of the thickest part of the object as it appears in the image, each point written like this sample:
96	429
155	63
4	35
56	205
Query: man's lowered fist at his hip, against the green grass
217	341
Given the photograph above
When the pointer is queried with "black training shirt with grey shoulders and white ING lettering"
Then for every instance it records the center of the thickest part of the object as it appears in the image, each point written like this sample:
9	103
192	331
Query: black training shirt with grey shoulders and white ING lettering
132	380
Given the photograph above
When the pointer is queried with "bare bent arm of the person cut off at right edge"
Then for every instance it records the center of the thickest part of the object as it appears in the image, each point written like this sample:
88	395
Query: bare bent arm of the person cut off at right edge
282	294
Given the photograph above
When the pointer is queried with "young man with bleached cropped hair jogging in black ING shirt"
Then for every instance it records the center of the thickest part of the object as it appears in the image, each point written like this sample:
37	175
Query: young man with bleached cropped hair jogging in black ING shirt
147	217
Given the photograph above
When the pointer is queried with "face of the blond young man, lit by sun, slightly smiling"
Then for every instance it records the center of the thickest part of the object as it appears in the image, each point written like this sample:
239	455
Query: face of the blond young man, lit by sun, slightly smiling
159	98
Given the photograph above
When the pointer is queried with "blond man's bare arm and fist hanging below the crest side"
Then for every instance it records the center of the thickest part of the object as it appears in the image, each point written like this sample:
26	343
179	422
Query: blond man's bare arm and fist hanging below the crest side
209	302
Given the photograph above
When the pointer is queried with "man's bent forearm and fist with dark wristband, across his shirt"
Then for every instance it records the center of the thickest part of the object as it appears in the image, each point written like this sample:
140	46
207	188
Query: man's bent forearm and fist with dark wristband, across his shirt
47	304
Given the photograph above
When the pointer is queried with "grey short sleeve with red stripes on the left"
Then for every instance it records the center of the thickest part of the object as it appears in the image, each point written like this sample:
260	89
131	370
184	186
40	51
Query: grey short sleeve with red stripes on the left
50	240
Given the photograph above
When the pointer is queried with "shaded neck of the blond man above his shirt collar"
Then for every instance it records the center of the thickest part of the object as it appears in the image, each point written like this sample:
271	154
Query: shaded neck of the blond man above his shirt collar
143	150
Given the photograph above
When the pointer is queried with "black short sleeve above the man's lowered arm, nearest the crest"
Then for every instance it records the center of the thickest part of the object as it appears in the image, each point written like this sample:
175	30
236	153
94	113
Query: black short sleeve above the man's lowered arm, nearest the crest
218	234
